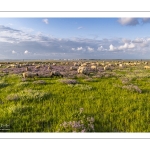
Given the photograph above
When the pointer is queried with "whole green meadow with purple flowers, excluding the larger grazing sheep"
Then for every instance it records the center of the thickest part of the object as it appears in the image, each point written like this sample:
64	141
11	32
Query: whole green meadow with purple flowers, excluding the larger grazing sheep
113	100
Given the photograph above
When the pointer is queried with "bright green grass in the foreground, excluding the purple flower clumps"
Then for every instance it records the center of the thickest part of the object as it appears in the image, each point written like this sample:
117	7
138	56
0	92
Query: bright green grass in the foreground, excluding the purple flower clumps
32	106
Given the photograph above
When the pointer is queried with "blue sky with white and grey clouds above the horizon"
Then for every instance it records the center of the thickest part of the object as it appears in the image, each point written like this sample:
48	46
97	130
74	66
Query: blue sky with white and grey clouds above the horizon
74	38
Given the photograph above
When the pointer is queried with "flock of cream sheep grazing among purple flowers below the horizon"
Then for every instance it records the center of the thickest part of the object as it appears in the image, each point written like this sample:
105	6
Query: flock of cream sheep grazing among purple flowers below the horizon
33	69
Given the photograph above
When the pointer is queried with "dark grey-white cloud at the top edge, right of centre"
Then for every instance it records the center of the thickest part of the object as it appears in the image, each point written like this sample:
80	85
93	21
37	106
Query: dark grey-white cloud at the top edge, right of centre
128	21
